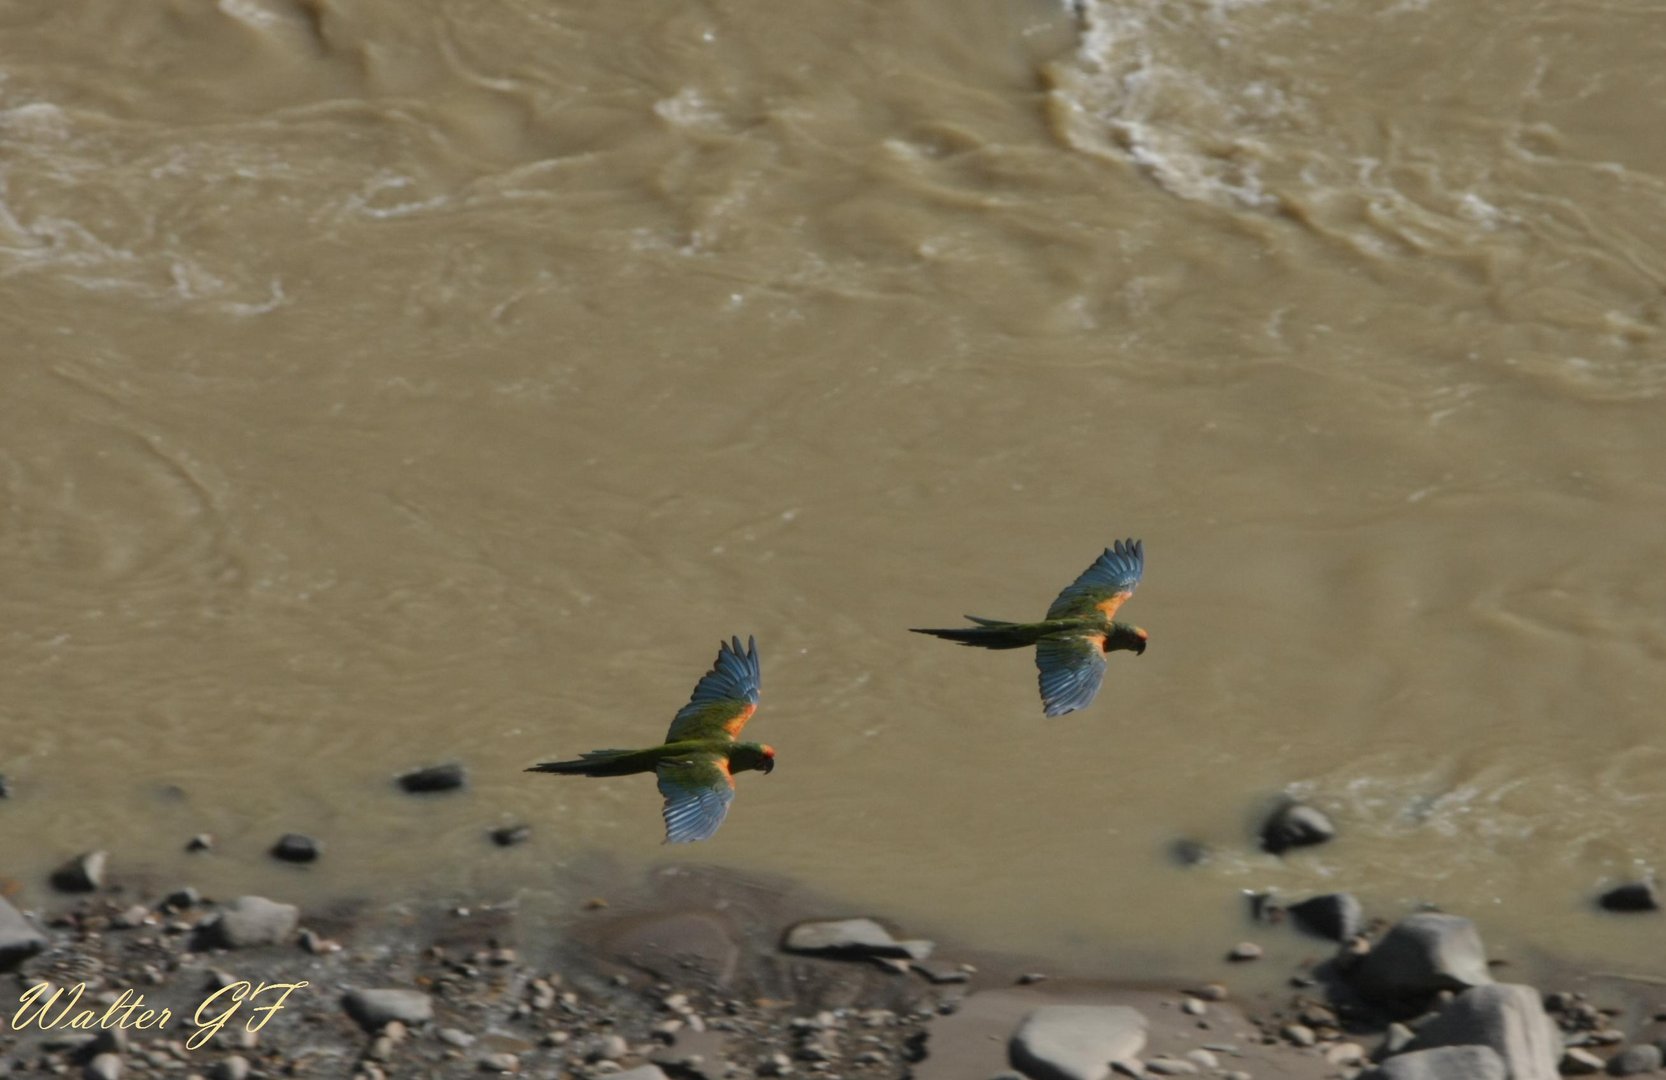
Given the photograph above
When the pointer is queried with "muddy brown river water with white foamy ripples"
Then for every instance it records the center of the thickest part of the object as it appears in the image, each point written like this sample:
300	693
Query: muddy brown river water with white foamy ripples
399	382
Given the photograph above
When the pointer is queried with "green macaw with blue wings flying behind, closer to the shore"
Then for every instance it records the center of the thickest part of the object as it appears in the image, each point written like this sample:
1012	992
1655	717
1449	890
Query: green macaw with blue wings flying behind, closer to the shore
701	756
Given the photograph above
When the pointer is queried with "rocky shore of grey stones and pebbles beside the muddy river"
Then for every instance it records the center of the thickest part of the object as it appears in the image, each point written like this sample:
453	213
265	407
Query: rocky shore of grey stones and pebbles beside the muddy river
704	974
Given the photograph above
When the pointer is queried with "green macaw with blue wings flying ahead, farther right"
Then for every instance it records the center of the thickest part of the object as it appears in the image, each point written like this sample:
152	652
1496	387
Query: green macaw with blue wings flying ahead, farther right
1077	632
